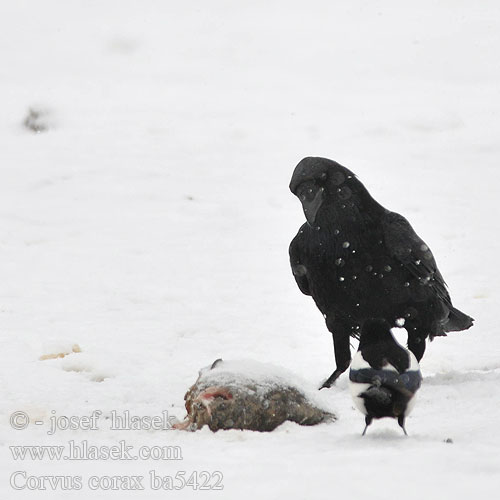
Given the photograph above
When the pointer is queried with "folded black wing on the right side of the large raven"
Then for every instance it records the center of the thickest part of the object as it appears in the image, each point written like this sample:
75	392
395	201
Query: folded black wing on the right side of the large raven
406	246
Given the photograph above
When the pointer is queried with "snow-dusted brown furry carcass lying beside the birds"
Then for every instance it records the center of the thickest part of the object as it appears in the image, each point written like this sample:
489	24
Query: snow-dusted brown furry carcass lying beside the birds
248	395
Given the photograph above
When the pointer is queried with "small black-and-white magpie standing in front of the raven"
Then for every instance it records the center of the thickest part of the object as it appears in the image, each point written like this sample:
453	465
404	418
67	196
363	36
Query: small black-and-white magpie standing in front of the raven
384	376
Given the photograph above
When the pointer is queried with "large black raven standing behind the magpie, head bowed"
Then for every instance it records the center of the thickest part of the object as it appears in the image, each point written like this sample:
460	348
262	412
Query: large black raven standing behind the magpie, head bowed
358	260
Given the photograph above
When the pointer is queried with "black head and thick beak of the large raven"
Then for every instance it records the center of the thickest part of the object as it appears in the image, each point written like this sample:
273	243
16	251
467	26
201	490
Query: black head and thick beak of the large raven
319	181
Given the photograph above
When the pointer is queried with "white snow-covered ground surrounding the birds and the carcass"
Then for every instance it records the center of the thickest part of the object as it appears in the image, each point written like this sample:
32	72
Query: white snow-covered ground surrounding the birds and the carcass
150	225
